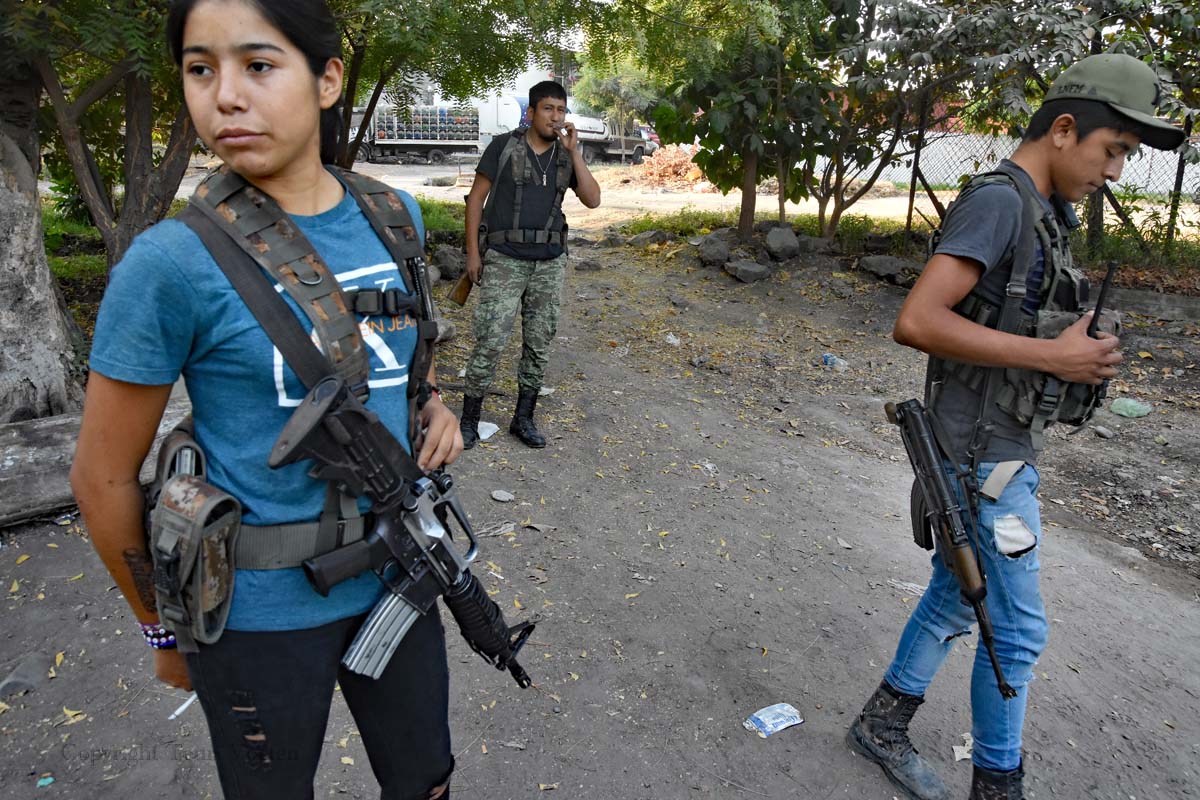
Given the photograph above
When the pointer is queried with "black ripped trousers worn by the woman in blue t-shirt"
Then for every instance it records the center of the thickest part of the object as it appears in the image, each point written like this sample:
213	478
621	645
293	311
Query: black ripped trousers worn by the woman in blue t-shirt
267	699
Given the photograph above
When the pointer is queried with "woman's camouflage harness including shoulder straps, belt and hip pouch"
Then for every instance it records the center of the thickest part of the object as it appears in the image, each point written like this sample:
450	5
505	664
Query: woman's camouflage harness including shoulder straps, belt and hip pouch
245	230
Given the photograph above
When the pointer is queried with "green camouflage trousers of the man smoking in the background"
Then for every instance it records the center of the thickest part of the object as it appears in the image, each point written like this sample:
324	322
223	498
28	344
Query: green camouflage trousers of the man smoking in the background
509	284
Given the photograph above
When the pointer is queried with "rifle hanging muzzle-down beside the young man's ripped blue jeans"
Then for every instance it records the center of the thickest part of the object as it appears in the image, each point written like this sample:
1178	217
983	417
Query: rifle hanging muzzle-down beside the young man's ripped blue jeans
944	514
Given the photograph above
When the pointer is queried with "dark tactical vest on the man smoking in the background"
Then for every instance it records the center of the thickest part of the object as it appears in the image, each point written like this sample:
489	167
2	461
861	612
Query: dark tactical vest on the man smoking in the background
515	155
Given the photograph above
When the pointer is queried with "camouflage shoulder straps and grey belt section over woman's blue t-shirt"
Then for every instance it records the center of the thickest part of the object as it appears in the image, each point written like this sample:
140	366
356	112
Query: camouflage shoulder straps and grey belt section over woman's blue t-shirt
247	232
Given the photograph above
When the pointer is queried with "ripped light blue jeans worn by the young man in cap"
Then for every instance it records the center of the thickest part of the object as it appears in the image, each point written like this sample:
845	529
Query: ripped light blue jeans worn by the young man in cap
1018	616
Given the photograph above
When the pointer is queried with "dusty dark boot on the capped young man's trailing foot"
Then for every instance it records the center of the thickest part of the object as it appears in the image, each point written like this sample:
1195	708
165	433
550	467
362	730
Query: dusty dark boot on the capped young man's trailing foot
881	735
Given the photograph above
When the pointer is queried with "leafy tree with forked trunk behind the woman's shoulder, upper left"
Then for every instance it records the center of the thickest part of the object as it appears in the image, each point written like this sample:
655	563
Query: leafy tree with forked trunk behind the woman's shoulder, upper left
119	118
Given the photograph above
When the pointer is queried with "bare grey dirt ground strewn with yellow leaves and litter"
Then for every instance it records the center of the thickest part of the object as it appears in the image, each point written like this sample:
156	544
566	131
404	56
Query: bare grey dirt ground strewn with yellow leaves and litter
717	526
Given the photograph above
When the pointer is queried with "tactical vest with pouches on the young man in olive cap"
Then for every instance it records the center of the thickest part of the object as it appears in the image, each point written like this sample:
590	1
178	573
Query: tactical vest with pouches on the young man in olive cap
1034	399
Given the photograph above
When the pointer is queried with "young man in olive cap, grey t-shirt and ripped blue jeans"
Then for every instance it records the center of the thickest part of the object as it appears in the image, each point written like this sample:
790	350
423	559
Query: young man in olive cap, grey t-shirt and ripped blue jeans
999	272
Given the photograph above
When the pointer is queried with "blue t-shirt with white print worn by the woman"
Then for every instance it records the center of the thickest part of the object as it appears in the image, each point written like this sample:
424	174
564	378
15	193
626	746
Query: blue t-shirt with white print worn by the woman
170	311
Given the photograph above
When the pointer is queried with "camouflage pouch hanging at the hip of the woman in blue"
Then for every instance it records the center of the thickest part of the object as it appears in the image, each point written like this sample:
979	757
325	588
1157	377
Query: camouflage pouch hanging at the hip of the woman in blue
194	532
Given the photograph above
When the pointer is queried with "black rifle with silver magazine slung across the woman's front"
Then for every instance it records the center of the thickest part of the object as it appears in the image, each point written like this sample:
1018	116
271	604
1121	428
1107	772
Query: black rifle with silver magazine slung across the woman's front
410	545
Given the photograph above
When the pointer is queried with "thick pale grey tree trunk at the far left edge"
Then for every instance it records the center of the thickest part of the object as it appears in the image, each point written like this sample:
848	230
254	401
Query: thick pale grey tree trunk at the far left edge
35	347
